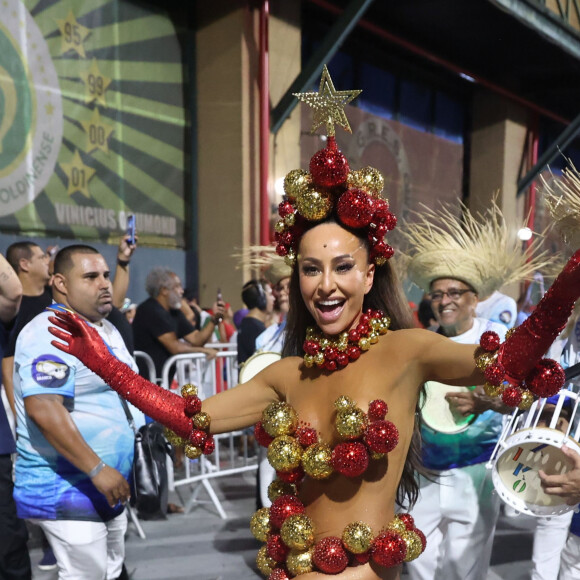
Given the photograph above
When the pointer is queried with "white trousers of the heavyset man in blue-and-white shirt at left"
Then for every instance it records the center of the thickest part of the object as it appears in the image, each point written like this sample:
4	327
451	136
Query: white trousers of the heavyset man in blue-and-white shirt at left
87	550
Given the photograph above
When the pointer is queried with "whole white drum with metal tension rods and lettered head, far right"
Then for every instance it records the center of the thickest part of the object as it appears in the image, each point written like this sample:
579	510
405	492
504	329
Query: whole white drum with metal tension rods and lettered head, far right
531	442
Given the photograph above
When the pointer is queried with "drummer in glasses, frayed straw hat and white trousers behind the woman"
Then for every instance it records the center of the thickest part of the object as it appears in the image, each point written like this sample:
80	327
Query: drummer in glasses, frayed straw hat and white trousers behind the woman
456	508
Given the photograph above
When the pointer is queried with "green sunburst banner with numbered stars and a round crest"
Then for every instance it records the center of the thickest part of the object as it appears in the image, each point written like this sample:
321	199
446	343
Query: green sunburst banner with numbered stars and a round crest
92	121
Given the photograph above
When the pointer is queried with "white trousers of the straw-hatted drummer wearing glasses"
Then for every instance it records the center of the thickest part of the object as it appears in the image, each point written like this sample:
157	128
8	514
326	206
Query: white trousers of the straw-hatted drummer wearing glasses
457	514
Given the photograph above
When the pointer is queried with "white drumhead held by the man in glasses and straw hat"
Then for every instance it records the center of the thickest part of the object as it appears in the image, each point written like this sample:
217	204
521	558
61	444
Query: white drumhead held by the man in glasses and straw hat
437	413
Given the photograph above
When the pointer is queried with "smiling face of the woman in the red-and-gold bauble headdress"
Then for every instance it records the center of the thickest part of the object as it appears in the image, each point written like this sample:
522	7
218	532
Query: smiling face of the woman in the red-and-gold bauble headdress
335	275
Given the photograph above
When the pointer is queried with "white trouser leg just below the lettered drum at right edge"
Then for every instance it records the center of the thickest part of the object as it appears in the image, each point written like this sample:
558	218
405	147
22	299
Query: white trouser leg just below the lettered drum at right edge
549	540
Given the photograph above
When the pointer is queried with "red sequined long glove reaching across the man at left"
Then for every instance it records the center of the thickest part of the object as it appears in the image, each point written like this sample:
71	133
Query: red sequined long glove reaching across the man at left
83	341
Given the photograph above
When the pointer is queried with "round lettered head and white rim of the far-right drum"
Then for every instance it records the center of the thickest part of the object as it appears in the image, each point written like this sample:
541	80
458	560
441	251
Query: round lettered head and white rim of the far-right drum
515	474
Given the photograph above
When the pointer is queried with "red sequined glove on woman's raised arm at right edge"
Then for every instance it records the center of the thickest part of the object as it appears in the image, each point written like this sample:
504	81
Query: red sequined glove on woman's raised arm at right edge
527	345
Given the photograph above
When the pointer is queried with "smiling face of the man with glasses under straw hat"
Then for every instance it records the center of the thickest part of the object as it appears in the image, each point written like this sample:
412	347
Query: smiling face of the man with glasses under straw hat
453	303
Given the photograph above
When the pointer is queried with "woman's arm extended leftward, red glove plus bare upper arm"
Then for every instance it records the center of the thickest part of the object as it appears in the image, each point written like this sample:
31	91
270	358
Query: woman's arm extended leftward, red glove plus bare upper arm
233	409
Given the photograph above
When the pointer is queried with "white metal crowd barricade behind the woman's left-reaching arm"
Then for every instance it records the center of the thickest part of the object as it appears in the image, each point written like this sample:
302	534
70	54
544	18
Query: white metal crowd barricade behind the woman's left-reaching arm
210	377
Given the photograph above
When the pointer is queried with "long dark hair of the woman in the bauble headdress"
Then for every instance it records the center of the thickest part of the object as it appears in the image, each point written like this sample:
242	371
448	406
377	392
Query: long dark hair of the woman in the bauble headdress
386	294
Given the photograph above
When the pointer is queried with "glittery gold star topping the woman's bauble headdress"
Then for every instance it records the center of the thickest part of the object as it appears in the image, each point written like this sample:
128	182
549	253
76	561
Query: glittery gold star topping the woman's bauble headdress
328	104
